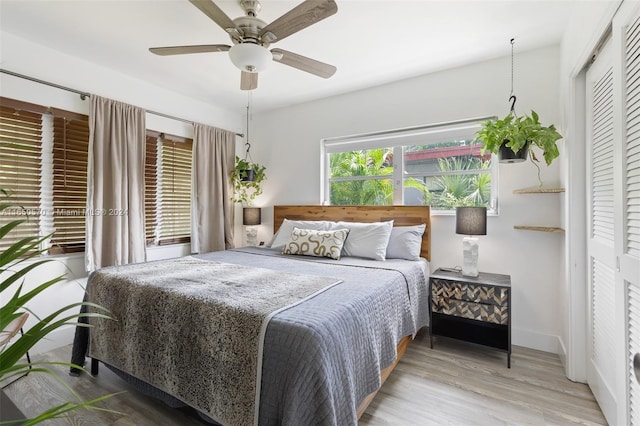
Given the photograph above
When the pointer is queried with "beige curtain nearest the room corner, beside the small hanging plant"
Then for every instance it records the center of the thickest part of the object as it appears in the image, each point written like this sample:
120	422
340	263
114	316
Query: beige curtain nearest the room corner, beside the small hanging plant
211	205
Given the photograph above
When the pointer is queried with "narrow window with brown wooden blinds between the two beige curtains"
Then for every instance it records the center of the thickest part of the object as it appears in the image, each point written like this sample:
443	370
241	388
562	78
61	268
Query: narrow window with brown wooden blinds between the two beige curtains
167	189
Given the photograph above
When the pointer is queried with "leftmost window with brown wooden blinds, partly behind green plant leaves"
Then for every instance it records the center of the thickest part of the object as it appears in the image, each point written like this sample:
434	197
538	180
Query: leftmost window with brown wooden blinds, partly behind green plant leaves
43	167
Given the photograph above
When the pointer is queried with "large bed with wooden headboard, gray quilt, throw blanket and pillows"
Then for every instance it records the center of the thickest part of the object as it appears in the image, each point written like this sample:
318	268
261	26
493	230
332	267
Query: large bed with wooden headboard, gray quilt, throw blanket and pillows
315	354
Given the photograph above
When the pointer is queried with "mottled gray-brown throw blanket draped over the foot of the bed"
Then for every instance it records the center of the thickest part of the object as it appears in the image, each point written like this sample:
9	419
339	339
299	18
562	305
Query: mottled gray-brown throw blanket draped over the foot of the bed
191	327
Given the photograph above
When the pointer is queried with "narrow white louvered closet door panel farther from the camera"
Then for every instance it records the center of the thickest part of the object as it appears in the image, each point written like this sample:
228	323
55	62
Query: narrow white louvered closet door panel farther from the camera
601	371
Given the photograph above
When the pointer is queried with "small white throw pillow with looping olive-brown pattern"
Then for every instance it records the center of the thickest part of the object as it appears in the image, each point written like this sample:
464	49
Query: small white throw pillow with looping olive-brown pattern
310	242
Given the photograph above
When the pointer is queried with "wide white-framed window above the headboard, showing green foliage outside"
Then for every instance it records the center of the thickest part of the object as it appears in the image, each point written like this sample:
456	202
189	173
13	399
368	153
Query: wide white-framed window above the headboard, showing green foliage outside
436	165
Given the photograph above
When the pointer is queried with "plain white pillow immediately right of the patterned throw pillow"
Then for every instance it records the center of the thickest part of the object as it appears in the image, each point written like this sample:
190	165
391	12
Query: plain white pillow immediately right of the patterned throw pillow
367	240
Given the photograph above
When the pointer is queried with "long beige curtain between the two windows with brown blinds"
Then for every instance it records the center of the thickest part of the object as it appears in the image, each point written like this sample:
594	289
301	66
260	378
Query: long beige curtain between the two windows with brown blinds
115	184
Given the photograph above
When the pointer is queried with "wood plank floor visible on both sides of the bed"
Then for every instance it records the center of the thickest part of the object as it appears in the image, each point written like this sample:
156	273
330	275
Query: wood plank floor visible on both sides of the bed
452	384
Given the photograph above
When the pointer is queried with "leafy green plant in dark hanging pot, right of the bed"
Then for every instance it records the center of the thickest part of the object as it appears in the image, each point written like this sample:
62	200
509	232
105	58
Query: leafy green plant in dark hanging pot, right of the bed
513	138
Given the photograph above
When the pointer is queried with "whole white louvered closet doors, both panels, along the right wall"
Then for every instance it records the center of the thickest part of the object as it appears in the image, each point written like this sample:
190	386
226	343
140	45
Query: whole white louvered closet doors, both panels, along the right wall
613	116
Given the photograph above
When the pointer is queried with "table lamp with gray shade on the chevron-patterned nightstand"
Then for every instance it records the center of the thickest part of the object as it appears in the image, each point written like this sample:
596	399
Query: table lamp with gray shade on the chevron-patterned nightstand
470	221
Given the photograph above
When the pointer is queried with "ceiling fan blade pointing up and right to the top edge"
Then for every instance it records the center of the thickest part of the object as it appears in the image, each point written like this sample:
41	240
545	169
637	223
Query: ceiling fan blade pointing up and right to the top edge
306	13
